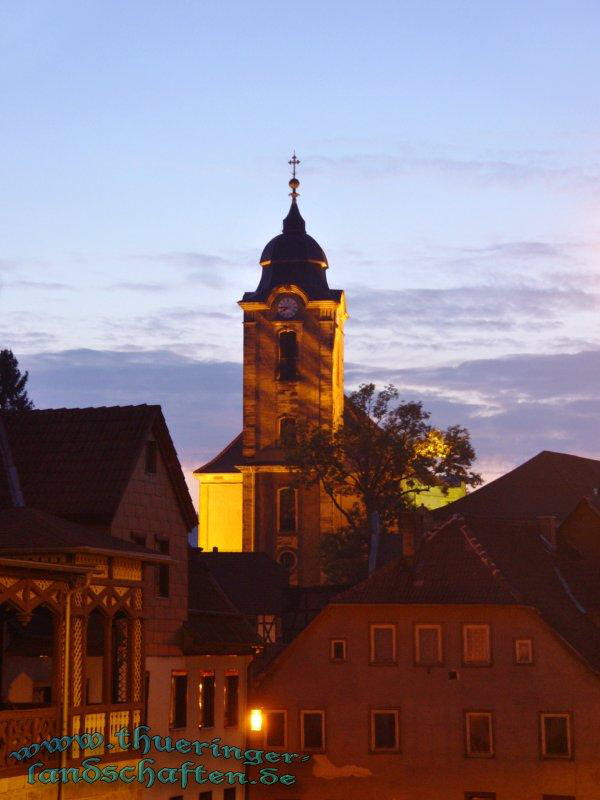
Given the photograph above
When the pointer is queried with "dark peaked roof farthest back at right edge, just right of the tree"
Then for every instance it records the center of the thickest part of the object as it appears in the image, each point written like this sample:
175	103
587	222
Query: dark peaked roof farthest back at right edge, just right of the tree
549	484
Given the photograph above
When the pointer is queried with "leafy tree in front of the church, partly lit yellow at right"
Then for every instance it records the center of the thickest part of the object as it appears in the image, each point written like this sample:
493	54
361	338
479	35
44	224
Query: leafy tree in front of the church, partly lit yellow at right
377	463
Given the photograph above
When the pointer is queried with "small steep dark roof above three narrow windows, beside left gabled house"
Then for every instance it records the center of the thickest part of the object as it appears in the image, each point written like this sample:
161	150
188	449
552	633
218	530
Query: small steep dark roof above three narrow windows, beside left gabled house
214	624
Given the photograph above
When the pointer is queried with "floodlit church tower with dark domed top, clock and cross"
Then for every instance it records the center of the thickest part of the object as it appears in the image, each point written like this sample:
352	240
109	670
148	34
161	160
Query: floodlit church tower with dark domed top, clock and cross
293	370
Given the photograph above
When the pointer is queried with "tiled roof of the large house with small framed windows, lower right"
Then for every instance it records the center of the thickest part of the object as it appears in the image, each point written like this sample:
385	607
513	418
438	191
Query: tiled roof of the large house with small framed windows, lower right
489	561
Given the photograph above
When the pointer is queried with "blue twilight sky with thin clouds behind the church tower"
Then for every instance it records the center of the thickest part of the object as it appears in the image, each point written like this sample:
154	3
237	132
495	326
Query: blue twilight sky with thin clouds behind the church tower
450	169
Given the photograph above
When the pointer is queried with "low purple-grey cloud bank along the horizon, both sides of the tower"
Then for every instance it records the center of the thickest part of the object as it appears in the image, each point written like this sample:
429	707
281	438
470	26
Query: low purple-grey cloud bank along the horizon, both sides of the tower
513	407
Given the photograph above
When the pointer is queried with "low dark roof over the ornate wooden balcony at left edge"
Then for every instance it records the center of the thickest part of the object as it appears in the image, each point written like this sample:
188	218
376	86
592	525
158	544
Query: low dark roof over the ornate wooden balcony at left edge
27	530
